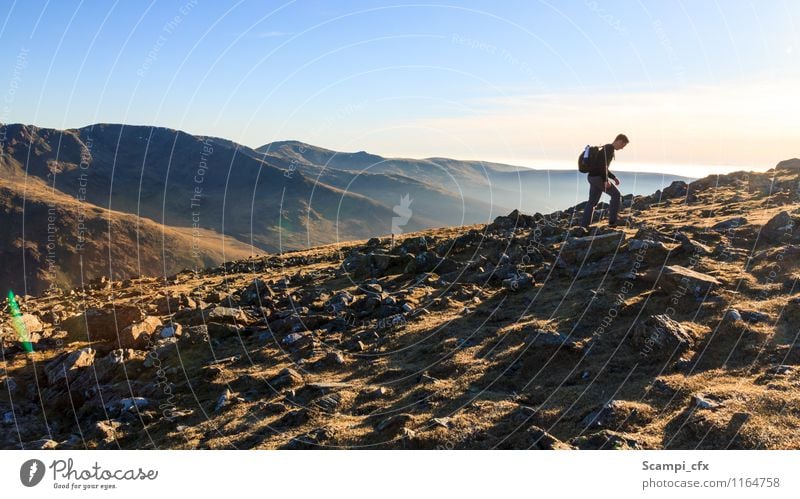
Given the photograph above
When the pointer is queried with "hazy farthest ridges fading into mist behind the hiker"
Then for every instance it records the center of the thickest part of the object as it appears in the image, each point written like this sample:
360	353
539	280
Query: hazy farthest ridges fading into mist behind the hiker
491	188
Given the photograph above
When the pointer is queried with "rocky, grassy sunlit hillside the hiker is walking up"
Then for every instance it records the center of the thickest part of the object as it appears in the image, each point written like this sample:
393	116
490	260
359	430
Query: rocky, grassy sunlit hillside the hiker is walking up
677	330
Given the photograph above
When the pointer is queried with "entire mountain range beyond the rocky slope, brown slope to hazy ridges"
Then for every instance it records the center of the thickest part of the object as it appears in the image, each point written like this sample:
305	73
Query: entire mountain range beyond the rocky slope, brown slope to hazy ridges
129	200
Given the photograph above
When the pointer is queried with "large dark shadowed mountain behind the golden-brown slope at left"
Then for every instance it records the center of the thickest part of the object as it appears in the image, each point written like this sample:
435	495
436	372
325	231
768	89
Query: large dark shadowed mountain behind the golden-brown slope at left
182	180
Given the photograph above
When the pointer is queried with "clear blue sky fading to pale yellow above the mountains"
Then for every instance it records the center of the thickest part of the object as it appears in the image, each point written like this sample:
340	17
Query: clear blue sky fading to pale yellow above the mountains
701	86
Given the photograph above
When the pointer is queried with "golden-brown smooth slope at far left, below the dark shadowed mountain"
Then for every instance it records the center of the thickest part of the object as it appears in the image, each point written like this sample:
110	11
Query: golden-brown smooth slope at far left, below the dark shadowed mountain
50	239
